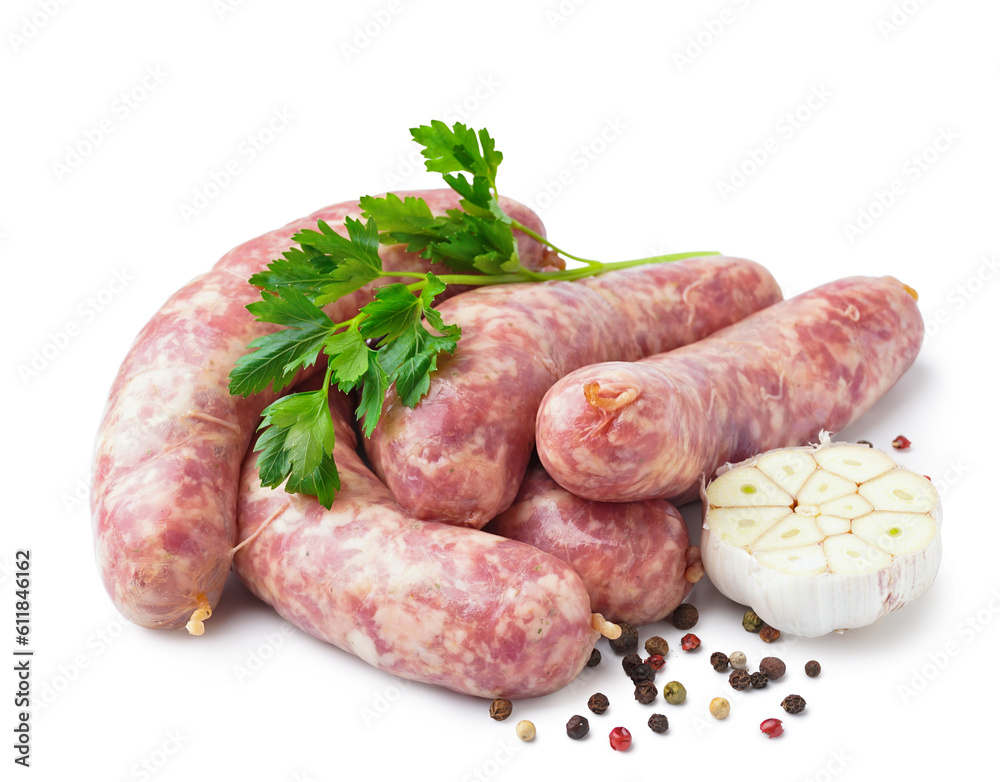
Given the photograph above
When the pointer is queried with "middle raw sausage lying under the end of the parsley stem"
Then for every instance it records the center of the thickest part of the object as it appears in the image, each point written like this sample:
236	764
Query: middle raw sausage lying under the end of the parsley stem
460	454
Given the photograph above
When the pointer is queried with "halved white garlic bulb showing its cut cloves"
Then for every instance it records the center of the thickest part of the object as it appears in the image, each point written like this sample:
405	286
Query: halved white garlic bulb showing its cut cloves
807	596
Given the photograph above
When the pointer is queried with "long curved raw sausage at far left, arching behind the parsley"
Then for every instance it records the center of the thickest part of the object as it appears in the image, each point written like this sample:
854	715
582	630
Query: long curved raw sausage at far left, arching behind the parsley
170	444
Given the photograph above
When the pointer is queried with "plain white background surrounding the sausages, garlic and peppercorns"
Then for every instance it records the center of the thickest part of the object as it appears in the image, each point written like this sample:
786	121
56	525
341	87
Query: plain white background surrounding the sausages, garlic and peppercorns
117	115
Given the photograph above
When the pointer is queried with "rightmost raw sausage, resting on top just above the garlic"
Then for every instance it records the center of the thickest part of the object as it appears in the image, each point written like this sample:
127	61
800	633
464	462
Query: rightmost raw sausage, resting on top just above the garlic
617	432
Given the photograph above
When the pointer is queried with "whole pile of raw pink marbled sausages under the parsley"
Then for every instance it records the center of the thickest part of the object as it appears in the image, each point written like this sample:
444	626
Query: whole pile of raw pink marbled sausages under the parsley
399	571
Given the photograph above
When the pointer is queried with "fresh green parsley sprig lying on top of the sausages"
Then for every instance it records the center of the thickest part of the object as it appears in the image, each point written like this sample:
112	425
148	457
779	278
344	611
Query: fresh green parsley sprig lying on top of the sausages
397	337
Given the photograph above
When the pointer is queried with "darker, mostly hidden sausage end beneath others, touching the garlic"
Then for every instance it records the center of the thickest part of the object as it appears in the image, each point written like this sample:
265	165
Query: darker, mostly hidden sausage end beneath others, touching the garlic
635	558
